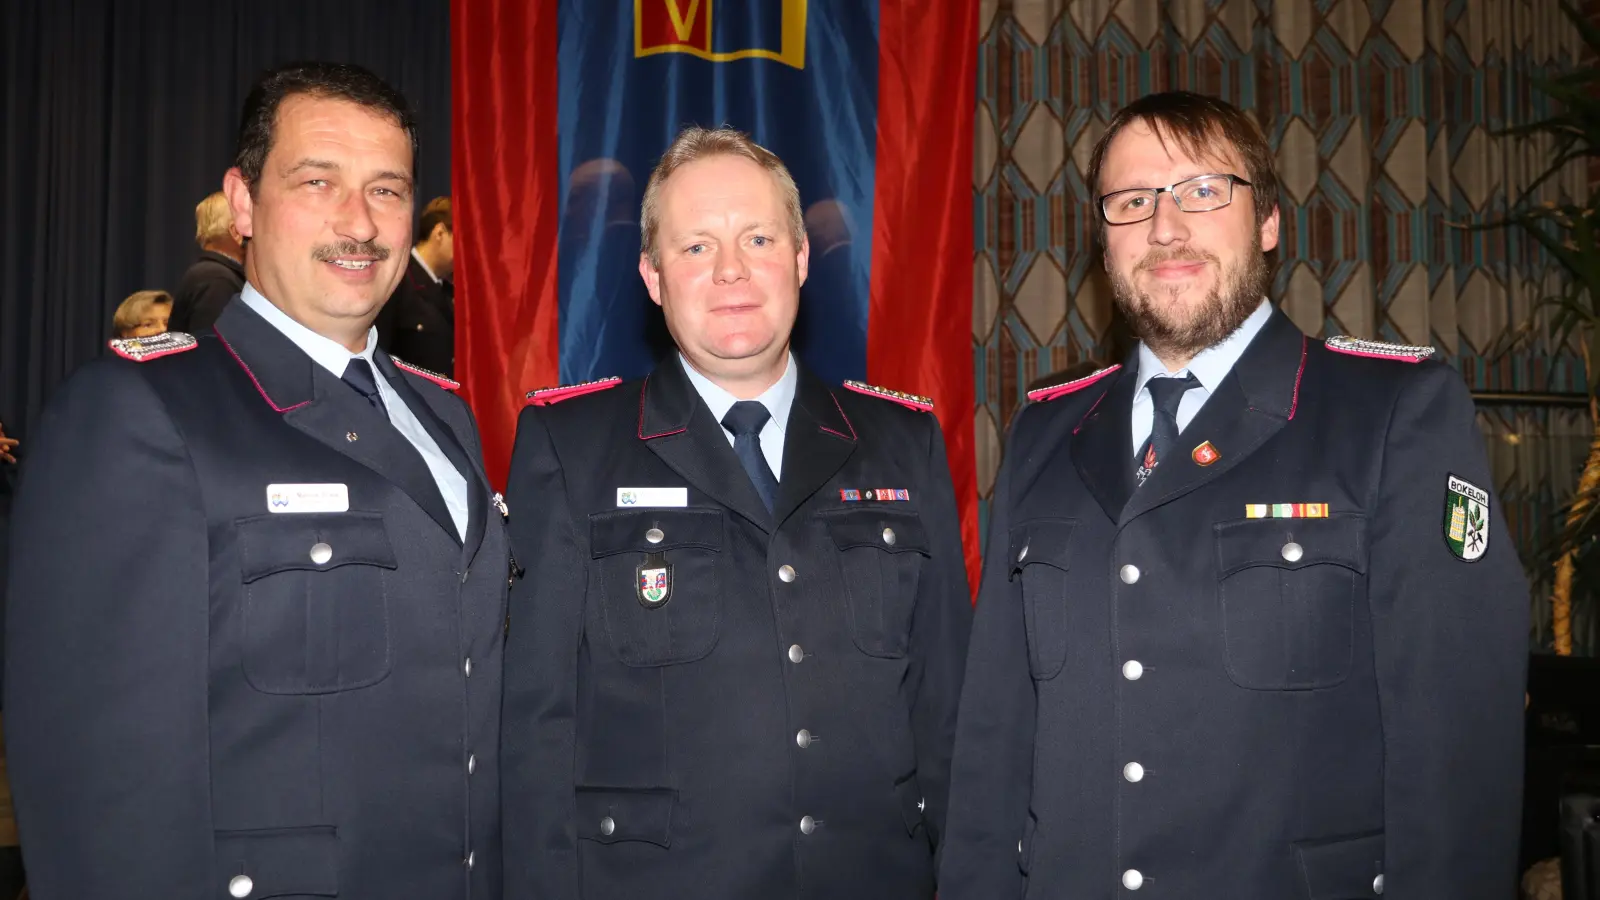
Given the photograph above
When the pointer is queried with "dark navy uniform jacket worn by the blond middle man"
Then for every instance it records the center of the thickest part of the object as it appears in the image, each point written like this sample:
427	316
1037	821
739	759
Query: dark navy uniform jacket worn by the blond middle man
782	725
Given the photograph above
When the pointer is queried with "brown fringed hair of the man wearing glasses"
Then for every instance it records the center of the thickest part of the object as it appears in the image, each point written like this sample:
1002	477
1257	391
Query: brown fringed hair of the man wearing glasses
1201	126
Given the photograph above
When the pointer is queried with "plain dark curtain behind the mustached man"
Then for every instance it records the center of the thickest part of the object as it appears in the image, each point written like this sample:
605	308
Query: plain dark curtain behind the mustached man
119	116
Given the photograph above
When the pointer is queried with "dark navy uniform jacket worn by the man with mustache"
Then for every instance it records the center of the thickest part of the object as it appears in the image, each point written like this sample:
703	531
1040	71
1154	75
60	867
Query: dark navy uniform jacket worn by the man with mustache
210	701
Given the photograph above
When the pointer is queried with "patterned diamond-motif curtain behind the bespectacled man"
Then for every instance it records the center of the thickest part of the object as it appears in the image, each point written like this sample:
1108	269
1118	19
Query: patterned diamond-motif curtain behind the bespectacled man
1385	119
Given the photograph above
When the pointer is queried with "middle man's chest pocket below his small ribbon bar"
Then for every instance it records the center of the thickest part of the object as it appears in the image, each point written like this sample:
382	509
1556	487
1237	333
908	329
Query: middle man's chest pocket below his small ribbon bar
882	553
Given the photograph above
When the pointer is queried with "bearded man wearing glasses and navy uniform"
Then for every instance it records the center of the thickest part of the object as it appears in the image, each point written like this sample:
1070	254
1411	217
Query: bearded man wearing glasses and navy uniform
1250	624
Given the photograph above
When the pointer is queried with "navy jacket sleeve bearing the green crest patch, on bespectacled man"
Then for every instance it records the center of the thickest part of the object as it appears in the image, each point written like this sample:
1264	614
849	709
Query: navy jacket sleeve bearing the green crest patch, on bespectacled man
1450	643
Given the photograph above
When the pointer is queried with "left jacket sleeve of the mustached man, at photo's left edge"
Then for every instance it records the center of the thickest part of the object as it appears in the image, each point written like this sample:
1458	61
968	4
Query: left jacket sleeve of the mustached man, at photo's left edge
106	651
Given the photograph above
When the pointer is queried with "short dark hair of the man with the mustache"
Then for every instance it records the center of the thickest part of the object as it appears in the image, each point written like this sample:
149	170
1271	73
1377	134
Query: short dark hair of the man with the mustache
327	81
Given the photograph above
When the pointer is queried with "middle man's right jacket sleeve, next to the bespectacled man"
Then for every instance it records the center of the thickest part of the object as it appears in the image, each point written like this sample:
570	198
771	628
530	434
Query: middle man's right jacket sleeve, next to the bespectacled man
940	632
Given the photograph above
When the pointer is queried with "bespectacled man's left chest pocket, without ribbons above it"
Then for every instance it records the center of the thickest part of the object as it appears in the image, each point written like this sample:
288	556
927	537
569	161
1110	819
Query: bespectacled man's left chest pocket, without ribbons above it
1041	558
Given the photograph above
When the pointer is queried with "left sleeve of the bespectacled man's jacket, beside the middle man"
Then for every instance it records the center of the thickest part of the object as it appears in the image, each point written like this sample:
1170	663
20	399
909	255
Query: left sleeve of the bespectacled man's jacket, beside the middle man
993	774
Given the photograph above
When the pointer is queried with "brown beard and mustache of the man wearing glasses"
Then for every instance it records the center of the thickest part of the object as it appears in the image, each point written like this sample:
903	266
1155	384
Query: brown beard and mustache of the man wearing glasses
1223	311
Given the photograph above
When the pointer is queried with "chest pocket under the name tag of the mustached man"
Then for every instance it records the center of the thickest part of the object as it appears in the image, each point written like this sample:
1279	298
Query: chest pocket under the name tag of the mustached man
316	601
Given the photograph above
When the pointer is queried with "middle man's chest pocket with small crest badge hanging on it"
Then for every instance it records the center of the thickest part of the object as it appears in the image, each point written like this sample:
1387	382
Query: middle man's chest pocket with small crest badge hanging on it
649	629
